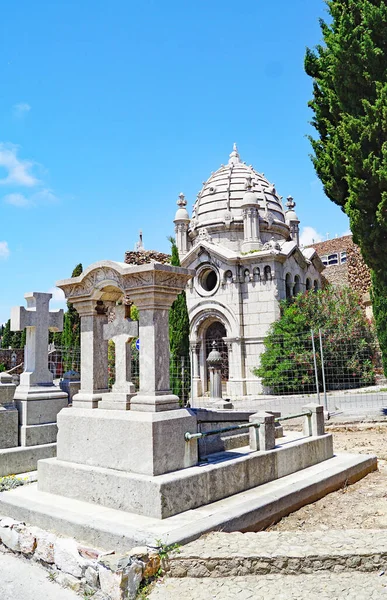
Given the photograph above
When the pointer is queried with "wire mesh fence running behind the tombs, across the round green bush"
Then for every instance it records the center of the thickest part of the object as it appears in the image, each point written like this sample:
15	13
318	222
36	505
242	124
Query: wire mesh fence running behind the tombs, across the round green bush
342	372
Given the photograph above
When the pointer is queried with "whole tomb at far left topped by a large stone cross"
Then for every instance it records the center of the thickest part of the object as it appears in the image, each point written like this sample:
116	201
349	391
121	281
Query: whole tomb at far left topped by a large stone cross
28	412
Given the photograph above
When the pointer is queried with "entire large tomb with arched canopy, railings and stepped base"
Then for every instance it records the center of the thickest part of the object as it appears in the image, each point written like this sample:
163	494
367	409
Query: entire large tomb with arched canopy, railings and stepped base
127	469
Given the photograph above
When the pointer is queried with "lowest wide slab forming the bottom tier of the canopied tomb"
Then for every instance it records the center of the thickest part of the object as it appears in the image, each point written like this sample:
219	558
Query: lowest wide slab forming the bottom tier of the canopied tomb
113	529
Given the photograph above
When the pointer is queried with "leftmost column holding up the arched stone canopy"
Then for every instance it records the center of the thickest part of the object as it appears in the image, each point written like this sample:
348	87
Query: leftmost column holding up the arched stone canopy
94	359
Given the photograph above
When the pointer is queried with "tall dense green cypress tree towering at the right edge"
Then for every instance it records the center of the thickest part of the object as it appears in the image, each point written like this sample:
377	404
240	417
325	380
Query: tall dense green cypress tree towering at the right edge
349	73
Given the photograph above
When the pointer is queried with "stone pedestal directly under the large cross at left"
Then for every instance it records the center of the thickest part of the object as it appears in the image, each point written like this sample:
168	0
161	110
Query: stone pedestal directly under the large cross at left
38	409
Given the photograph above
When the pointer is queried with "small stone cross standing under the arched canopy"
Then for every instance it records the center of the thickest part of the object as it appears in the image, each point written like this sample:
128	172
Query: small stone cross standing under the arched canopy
122	331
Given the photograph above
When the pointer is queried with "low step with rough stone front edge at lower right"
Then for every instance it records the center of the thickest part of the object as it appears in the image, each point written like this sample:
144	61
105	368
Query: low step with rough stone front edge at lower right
288	553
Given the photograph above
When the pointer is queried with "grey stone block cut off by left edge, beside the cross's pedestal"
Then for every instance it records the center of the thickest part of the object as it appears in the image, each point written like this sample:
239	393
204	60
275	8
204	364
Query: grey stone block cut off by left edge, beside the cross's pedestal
8	413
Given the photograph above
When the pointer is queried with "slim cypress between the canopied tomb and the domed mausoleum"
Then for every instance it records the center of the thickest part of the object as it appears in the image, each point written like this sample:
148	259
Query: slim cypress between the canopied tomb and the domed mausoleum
179	338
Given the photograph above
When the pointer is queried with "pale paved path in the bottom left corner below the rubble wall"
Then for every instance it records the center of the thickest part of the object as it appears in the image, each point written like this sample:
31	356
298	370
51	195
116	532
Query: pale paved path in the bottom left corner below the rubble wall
24	580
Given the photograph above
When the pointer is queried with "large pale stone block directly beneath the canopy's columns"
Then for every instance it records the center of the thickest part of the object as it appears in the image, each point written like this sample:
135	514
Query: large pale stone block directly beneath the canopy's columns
135	442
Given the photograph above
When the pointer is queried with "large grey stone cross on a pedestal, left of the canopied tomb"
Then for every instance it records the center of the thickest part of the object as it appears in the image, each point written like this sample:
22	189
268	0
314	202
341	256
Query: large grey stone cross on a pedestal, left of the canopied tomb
38	320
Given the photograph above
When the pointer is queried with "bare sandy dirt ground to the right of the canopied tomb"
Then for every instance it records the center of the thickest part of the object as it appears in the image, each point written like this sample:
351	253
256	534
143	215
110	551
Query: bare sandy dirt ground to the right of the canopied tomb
362	505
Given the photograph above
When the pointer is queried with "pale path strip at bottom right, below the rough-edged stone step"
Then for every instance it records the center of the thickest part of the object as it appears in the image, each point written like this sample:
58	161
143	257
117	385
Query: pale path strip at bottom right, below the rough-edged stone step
317	586
